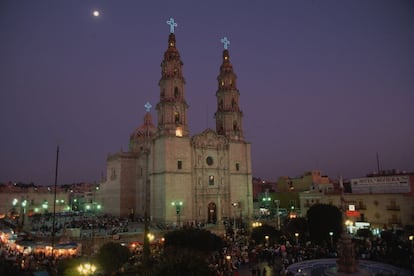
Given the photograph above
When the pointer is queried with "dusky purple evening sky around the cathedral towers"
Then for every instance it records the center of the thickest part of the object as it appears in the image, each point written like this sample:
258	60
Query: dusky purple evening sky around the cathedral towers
323	84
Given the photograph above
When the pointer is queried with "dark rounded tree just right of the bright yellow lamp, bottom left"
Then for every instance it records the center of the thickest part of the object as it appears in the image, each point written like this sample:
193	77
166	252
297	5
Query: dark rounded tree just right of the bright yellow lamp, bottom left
112	256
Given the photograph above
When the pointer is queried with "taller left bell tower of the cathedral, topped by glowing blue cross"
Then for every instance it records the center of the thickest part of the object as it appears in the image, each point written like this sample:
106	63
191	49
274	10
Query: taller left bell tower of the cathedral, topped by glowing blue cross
172	107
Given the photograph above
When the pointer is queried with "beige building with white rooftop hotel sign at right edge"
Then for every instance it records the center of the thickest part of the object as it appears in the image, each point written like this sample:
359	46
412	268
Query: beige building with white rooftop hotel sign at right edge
384	201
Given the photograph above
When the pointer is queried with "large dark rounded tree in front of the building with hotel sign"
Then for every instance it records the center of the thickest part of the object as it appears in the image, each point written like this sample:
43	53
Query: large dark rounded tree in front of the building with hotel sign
323	219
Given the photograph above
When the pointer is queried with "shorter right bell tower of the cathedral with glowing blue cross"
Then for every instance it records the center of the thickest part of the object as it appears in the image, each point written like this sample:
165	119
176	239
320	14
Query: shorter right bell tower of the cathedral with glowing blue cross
228	115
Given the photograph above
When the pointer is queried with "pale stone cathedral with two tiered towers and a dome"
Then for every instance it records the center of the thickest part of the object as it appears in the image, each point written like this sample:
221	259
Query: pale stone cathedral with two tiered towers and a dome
174	177
